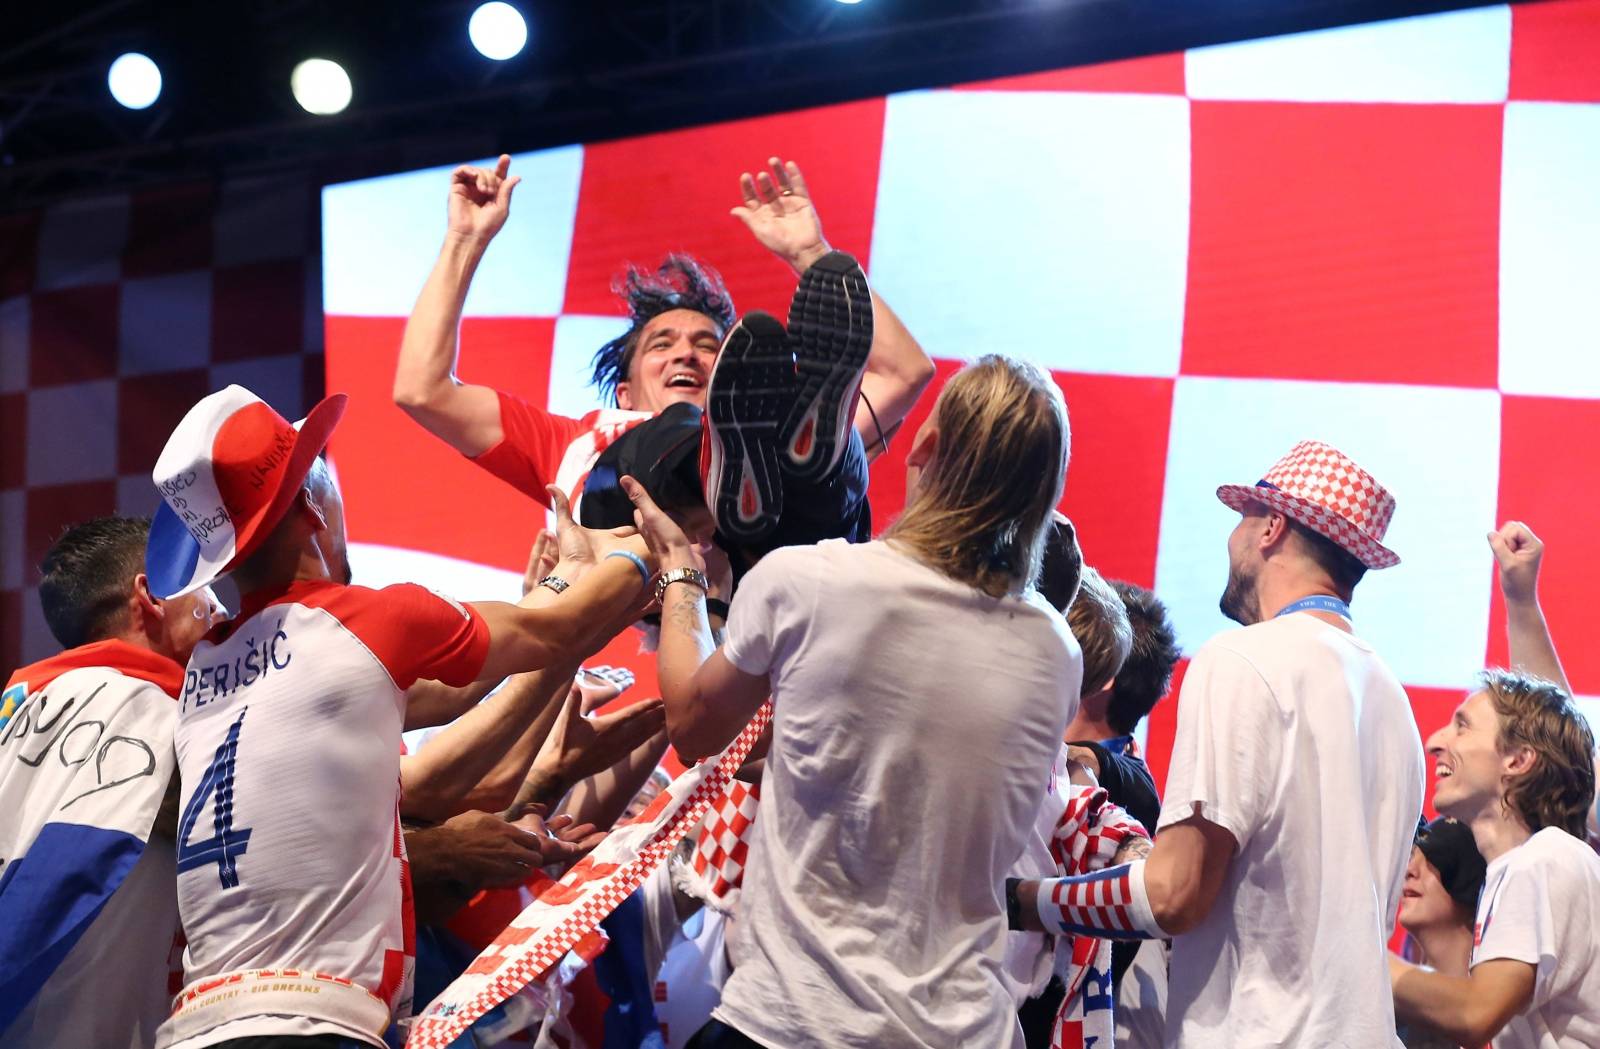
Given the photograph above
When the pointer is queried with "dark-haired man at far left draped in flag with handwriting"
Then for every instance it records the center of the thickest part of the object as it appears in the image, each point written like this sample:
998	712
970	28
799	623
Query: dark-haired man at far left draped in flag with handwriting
86	767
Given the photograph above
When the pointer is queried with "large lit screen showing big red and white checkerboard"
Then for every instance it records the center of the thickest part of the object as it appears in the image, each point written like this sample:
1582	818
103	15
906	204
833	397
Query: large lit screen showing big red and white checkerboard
1380	237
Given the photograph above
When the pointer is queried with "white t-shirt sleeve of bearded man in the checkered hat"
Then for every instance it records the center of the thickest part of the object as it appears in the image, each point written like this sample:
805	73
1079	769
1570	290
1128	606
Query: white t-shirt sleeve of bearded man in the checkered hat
1228	748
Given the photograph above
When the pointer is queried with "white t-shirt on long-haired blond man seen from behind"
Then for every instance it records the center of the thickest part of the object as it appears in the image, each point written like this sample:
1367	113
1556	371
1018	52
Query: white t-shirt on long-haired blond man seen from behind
916	724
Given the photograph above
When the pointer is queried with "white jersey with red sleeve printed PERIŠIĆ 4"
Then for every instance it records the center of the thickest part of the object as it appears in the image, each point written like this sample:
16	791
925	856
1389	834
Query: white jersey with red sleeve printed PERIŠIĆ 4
292	874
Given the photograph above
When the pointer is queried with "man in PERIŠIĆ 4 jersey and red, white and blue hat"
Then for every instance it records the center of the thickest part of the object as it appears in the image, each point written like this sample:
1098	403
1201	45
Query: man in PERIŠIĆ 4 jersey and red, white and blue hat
292	869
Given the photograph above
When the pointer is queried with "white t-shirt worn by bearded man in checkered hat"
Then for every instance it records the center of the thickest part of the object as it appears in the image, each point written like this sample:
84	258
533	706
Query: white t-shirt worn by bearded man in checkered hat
1297	740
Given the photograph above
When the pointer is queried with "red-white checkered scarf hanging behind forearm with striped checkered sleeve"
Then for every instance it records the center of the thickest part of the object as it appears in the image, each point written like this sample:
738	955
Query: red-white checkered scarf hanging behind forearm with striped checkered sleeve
1086	840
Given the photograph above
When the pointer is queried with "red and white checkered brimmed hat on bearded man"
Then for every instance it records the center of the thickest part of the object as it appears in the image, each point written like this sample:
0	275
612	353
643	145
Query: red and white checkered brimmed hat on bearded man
1324	490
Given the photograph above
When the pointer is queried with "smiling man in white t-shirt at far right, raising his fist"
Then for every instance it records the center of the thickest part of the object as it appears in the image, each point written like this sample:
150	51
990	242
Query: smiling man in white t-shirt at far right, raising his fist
1516	765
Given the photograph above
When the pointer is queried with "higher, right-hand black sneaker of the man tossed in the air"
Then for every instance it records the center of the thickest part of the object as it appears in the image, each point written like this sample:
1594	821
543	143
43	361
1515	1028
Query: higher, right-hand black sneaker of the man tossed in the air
831	333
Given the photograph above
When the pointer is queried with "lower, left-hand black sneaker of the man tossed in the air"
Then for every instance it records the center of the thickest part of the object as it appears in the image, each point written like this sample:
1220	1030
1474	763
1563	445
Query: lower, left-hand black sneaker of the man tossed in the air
751	391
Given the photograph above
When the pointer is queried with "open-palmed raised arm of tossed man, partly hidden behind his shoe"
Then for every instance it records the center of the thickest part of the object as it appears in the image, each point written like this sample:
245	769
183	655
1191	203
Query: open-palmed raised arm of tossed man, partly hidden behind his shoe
778	210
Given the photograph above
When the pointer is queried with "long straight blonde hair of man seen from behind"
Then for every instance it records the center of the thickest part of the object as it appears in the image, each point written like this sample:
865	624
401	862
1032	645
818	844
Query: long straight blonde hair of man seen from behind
985	500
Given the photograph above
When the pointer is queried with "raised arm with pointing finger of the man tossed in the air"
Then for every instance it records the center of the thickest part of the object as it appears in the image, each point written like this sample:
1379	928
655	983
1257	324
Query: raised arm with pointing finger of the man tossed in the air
426	386
